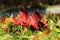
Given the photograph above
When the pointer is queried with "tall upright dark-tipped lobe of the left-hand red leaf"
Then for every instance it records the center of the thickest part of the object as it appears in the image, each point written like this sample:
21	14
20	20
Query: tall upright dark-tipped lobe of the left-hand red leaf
24	16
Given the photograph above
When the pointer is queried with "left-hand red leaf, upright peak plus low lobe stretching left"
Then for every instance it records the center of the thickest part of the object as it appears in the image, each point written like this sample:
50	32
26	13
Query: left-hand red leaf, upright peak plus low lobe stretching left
22	19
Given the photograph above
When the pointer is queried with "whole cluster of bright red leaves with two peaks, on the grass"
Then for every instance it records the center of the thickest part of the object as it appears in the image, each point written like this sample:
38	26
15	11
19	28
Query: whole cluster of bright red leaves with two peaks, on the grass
26	19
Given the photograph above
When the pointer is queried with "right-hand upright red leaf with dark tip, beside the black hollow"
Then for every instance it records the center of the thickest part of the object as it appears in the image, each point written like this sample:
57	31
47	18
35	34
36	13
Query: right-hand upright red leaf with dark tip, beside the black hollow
36	17
